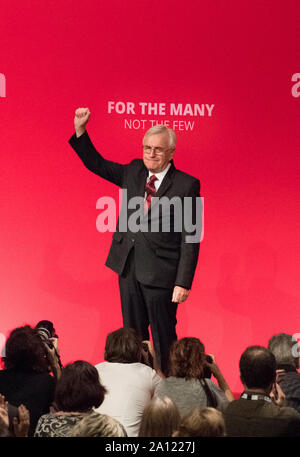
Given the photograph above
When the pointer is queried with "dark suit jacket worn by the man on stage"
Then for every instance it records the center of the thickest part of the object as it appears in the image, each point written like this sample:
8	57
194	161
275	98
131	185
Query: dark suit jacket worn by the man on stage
162	259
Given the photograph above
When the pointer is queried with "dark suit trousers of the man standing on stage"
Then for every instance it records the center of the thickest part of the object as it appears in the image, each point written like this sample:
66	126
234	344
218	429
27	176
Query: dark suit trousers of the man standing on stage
144	305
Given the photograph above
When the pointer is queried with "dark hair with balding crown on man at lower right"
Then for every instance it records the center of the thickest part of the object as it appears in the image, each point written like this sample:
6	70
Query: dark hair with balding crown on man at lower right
257	367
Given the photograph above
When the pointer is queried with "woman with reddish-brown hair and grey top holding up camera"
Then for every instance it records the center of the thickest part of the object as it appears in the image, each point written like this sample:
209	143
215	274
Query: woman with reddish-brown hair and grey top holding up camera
186	384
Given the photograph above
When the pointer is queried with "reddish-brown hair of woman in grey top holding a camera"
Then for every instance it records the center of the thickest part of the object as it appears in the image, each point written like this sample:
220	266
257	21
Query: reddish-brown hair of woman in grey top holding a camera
187	357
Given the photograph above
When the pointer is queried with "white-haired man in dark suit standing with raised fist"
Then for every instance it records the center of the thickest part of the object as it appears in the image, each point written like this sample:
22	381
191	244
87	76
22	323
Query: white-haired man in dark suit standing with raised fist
156	254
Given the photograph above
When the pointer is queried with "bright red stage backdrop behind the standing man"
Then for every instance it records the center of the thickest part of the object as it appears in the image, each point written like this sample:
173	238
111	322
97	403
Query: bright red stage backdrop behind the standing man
238	58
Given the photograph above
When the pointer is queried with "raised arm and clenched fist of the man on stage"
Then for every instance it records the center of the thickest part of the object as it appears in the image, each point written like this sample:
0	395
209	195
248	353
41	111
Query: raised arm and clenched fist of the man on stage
83	146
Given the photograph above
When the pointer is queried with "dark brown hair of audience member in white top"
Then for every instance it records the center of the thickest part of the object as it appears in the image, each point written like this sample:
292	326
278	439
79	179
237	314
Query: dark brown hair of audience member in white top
123	346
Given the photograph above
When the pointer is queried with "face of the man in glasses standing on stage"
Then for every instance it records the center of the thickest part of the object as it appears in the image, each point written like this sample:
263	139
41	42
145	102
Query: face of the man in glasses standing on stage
156	152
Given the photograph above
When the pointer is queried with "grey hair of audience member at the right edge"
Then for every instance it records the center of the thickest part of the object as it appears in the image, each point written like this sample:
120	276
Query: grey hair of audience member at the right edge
281	346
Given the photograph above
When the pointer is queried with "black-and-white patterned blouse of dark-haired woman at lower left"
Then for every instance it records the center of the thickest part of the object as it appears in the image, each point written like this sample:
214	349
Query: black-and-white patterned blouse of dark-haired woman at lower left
57	425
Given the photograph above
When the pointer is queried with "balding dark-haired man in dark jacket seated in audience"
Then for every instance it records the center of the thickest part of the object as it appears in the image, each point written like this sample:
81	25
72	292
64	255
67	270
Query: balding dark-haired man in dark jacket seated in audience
257	412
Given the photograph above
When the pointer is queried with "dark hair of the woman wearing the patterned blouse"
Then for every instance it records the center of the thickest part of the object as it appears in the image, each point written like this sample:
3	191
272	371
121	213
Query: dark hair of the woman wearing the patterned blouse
79	388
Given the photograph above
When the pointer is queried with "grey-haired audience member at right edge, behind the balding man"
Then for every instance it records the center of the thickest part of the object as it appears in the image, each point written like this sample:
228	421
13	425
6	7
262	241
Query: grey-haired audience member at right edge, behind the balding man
286	352
